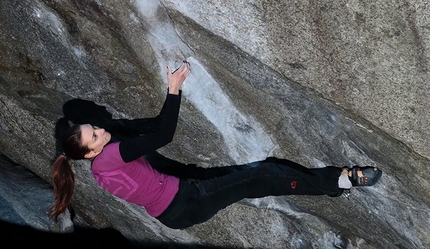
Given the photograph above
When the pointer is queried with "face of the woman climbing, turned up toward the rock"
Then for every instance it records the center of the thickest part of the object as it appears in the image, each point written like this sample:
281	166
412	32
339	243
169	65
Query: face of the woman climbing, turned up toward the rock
94	138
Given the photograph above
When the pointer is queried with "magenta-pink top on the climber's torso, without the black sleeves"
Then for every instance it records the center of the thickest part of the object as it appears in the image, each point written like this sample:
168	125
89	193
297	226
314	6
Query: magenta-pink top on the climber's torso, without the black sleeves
136	182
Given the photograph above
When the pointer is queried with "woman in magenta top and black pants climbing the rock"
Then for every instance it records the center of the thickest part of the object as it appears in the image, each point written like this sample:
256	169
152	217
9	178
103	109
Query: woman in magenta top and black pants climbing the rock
180	199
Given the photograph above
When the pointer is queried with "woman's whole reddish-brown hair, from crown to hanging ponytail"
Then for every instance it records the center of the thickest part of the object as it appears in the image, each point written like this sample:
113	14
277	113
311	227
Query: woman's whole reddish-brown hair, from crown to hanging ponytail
63	177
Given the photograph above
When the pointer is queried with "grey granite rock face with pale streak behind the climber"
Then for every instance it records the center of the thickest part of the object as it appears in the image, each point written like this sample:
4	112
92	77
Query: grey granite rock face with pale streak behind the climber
318	82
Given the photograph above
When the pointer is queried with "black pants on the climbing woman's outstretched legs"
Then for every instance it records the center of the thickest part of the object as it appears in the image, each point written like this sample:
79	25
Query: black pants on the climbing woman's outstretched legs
210	190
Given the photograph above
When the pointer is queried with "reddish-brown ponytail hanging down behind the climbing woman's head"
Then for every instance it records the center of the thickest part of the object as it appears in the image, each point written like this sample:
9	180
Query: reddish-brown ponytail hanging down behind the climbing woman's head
64	185
